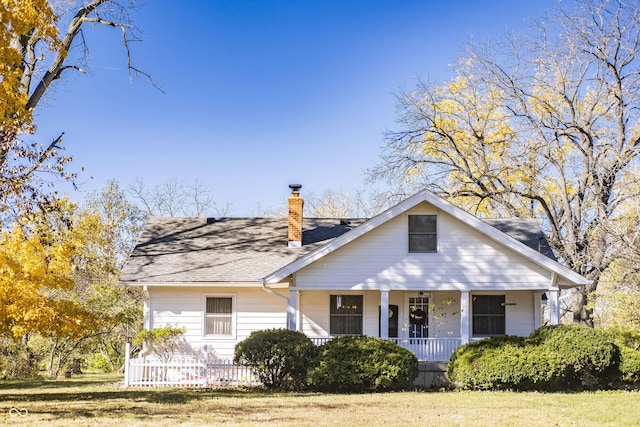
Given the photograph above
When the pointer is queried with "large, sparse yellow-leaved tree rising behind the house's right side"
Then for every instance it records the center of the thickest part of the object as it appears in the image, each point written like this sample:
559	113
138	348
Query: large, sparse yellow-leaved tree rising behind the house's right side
544	124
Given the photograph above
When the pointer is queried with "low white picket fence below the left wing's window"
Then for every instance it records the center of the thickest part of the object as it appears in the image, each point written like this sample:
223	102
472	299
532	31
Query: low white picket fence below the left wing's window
185	371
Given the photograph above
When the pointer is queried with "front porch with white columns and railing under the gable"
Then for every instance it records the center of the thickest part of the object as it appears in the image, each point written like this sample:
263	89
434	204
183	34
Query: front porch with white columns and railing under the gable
431	324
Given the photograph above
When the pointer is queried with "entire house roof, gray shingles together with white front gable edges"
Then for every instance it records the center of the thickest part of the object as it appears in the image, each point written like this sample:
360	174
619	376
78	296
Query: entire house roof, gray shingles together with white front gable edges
255	250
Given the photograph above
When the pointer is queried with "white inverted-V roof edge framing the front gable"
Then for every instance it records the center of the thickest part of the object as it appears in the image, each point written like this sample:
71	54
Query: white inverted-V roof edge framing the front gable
479	225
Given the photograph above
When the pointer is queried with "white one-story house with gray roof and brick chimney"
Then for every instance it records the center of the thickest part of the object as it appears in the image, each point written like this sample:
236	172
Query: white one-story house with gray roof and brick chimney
440	276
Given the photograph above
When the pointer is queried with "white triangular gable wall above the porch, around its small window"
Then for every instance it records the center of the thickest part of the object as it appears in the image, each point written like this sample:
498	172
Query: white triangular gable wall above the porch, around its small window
466	260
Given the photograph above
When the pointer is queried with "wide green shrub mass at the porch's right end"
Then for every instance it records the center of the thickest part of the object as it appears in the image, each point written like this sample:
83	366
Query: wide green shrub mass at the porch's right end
552	358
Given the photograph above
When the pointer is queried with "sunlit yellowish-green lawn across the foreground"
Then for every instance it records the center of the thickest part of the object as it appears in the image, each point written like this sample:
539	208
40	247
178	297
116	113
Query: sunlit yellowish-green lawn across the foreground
100	400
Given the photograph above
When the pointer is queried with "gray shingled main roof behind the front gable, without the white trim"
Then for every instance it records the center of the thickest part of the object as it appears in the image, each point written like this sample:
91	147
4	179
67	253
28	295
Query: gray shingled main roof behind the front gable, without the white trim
183	250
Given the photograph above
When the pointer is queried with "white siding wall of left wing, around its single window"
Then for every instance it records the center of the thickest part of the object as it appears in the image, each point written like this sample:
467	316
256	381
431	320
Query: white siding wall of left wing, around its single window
184	307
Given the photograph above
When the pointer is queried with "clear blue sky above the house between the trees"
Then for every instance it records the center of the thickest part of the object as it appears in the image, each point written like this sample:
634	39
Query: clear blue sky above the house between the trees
259	94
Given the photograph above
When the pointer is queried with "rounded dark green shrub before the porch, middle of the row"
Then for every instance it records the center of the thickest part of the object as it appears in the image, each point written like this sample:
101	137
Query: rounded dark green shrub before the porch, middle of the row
357	363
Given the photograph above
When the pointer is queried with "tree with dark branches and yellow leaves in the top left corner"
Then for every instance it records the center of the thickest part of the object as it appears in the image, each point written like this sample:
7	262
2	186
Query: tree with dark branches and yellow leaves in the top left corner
36	37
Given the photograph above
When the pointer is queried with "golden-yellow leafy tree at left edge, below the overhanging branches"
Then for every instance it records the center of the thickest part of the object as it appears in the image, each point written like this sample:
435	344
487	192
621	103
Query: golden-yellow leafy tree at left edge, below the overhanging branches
37	294
